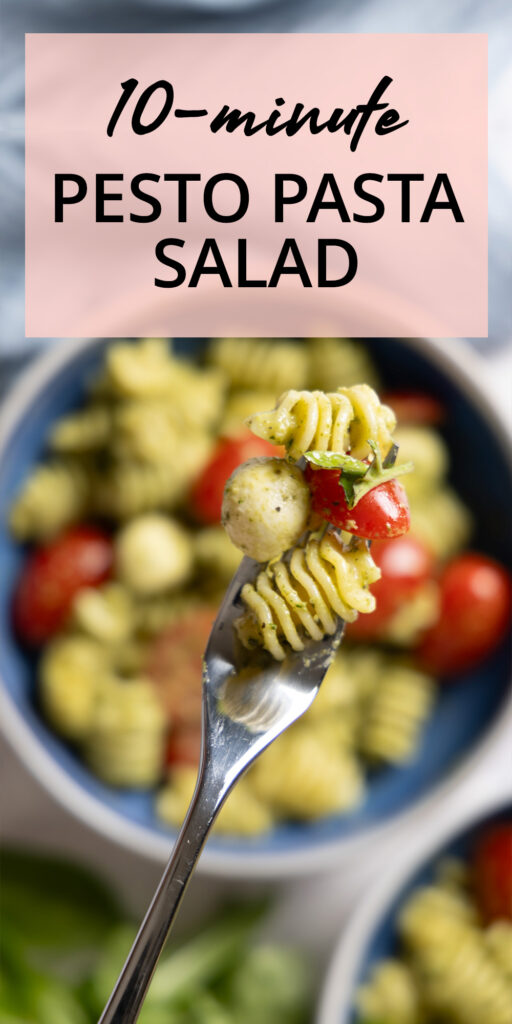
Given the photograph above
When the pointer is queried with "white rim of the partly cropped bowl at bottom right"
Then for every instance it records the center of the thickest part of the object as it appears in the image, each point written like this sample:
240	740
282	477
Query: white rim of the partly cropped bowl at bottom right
342	977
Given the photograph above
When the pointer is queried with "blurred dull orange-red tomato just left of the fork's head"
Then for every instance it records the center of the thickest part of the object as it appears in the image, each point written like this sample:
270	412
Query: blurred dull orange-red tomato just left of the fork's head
176	666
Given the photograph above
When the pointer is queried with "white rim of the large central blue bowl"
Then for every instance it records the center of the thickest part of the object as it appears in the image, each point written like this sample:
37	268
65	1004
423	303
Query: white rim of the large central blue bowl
466	369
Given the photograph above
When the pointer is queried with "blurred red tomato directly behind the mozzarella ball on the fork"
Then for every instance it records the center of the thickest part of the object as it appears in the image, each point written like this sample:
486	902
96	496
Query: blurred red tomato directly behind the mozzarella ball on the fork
206	497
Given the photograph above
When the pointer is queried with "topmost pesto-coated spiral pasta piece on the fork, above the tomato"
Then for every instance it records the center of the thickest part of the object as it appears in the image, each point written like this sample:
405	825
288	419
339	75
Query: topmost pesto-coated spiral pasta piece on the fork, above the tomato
338	421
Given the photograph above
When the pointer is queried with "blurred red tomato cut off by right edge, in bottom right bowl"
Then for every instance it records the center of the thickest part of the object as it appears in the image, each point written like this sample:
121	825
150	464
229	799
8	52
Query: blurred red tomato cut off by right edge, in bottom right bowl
493	874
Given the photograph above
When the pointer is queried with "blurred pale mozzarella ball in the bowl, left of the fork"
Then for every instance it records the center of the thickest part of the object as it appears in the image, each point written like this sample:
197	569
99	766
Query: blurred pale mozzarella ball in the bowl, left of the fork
153	553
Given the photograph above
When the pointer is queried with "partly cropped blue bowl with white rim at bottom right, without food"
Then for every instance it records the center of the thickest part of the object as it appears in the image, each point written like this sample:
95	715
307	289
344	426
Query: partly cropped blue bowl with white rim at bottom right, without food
373	934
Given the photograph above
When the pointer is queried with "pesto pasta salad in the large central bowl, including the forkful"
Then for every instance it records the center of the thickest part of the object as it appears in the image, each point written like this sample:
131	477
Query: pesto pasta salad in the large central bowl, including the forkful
127	563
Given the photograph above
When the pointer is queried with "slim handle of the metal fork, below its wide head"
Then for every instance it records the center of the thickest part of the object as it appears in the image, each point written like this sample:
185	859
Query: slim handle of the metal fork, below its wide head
126	1001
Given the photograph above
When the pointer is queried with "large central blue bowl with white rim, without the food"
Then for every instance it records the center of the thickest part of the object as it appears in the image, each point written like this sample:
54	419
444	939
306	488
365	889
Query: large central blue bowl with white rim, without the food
465	714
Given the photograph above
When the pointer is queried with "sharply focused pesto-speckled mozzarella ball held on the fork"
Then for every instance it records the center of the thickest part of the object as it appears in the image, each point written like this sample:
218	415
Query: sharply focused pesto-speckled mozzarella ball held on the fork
267	507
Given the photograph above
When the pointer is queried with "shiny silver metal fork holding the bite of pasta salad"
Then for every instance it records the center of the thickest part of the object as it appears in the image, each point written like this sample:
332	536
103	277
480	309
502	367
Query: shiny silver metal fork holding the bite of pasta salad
248	700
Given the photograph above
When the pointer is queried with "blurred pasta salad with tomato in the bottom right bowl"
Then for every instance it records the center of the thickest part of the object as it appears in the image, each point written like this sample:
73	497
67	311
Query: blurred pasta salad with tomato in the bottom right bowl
454	964
